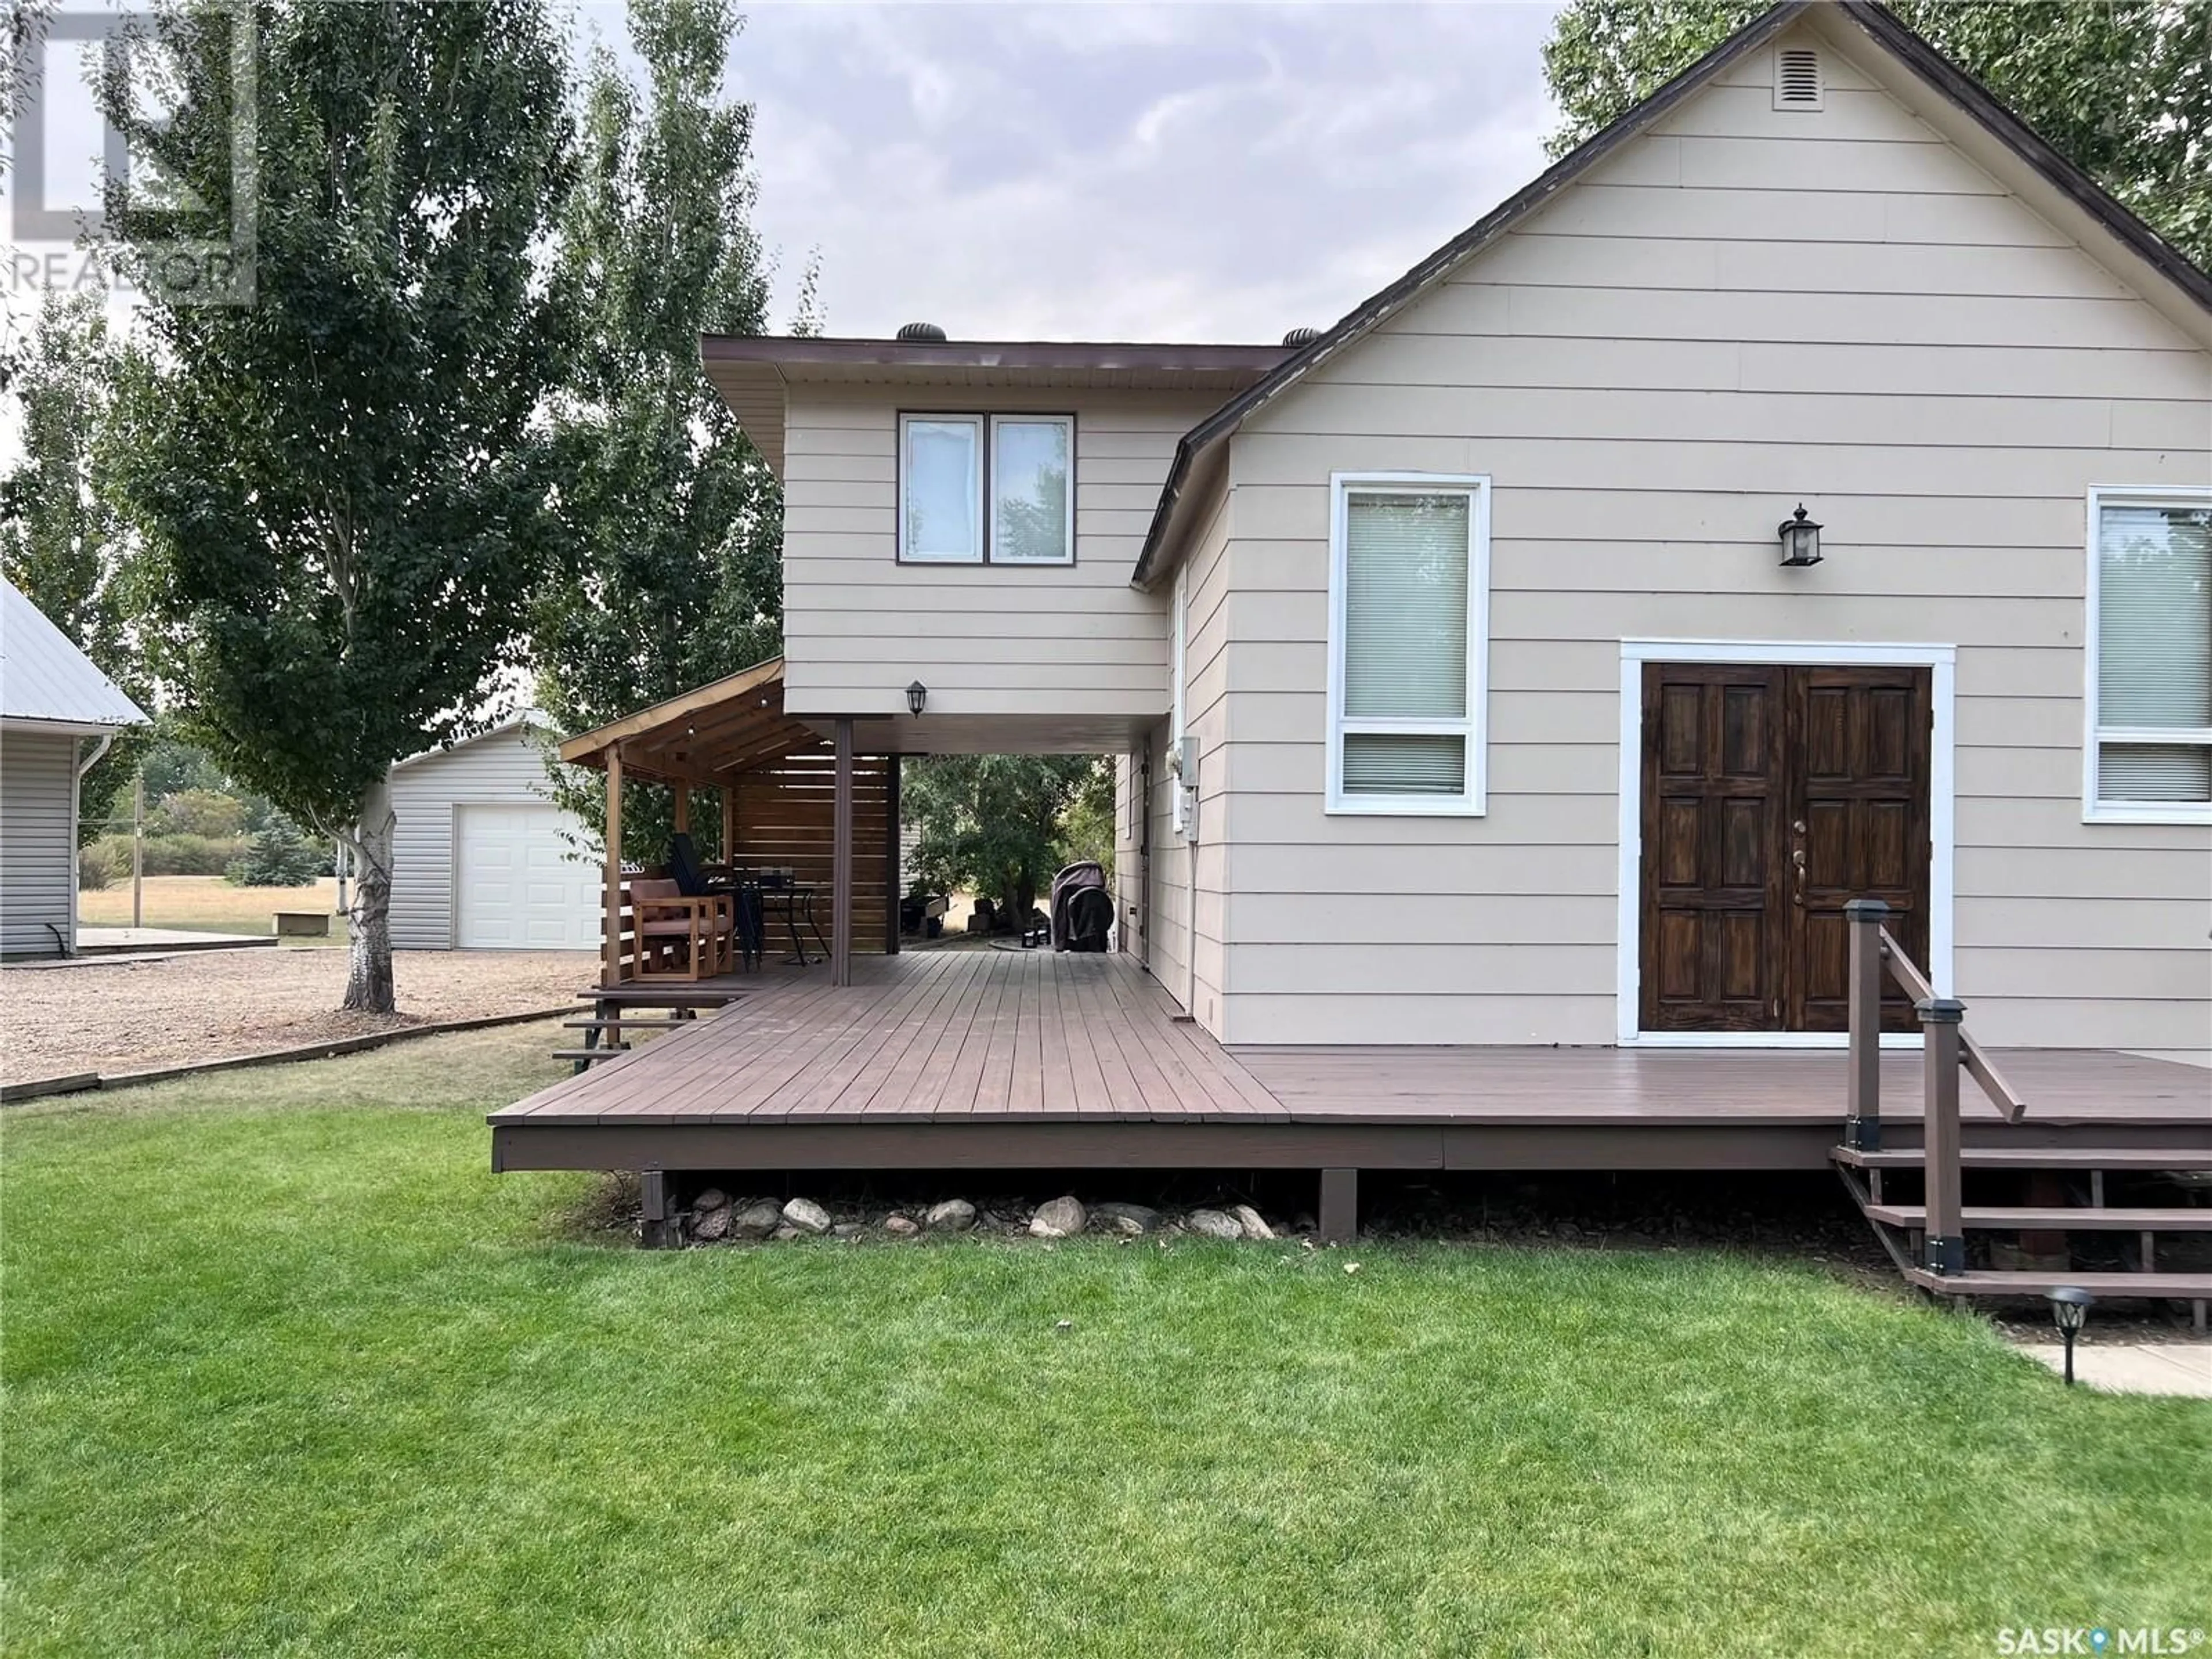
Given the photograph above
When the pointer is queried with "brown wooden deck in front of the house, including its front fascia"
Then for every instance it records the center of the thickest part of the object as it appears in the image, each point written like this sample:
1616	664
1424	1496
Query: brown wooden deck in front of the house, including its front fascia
1039	1061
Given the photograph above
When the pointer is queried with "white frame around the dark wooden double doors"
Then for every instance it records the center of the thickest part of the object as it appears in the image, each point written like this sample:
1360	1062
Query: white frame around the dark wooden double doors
1793	654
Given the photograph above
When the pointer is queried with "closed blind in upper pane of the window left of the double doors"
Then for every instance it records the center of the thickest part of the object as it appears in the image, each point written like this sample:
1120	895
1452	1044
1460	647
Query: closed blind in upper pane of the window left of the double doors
1406	607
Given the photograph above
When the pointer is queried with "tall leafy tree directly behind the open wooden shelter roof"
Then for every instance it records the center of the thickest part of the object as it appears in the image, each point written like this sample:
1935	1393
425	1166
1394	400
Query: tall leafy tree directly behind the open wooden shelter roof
669	523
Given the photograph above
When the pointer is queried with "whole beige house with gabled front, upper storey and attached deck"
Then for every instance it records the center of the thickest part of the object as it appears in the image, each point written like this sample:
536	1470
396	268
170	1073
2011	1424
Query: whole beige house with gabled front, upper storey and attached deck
1797	497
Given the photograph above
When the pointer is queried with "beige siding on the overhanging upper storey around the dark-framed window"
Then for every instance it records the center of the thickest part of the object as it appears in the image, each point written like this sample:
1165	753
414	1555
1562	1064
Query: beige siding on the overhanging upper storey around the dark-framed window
990	640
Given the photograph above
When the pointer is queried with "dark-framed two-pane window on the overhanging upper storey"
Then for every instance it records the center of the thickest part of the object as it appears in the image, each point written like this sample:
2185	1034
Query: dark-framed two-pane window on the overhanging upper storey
981	490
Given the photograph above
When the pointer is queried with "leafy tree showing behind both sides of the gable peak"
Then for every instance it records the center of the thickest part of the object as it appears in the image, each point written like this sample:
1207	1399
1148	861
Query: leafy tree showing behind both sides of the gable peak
2122	90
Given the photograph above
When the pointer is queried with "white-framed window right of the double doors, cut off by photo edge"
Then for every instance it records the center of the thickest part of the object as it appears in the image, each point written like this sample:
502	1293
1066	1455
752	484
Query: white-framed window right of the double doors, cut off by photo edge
2149	696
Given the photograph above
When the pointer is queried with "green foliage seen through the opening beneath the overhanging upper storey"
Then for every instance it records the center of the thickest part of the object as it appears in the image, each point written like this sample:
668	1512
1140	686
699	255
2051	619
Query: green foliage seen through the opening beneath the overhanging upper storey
1001	824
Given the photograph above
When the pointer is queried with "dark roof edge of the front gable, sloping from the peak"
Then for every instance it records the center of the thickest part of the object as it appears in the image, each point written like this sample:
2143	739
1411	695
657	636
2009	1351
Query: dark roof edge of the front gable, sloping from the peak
1875	21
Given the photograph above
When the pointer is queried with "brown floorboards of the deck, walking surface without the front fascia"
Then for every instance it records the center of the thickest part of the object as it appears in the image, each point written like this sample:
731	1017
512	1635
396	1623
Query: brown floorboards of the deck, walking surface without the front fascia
985	1036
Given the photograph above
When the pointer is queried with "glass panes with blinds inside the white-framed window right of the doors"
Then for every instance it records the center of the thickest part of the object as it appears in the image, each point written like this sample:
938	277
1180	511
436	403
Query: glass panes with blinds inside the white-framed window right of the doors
2153	651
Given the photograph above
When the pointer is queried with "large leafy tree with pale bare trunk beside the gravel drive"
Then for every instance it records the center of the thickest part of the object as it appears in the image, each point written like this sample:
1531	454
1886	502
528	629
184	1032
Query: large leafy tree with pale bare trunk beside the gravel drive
340	483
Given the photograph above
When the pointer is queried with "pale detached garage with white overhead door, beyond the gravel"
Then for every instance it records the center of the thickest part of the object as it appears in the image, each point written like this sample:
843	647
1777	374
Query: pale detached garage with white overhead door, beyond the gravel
481	859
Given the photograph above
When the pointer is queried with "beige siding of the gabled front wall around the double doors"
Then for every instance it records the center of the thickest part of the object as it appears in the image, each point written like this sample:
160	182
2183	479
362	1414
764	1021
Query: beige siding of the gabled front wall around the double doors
1746	311
